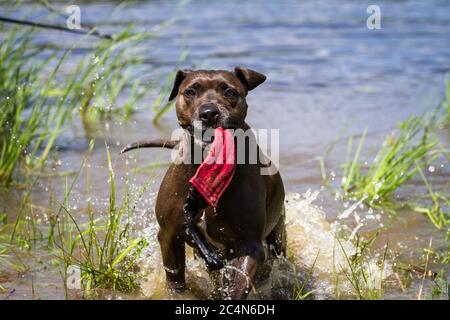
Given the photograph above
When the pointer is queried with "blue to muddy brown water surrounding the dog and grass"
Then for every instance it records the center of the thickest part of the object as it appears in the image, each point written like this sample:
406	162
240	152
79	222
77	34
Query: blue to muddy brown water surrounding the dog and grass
329	77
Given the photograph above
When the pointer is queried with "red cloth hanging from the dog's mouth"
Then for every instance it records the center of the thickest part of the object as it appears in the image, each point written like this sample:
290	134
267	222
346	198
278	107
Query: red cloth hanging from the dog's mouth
216	171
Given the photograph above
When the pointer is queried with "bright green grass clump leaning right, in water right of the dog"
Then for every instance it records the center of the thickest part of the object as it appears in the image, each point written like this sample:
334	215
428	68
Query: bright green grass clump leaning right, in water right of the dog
393	166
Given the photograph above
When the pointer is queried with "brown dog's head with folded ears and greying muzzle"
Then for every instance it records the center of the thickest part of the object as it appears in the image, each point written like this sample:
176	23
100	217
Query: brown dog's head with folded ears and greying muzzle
213	98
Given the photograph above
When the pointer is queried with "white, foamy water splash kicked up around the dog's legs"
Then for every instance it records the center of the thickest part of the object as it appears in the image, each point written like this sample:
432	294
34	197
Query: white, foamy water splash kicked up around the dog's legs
312	246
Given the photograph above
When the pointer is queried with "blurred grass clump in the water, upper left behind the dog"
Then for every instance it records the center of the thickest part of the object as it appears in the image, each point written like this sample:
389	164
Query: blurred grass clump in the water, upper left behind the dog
106	73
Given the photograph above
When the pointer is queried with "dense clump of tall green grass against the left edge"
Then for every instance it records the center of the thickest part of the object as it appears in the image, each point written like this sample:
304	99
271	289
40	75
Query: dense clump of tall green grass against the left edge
22	111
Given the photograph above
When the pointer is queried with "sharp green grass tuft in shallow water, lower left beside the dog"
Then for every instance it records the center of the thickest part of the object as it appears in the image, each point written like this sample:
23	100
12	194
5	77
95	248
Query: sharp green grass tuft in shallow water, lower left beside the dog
105	252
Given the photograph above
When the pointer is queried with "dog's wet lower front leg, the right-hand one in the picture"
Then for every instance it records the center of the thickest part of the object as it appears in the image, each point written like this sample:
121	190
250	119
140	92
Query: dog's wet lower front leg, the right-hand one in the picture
250	257
